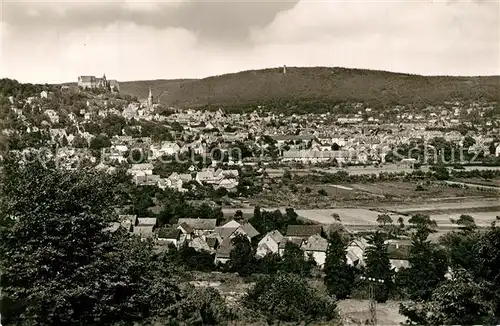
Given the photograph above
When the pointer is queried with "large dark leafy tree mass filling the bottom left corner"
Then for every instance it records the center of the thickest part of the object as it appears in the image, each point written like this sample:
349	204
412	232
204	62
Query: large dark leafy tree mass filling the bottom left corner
61	265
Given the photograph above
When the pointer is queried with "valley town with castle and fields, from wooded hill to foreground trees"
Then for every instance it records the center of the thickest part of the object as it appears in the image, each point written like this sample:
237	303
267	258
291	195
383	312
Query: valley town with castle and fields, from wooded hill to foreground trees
220	192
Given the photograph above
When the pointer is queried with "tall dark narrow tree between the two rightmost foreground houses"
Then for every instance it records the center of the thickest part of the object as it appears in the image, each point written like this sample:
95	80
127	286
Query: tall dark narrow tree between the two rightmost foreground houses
378	265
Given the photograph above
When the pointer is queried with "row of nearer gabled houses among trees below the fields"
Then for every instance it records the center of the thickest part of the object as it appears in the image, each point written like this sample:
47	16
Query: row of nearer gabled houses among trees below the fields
204	234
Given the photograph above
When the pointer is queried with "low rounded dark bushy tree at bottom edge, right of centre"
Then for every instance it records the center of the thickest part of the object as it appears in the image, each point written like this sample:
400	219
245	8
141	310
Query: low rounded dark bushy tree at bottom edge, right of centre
289	298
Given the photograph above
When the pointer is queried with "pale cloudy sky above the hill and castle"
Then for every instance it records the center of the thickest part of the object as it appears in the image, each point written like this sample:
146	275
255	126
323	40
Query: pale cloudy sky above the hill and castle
55	41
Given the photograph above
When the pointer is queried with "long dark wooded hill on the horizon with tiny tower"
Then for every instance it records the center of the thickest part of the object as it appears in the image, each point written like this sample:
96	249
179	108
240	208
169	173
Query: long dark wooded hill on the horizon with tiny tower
316	86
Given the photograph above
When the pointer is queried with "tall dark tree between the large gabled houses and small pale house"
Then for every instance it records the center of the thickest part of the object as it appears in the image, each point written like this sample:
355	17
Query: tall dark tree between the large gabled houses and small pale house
339	276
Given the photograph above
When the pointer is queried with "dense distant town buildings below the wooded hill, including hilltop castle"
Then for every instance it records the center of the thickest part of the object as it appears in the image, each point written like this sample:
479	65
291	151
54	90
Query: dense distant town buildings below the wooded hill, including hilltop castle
308	138
